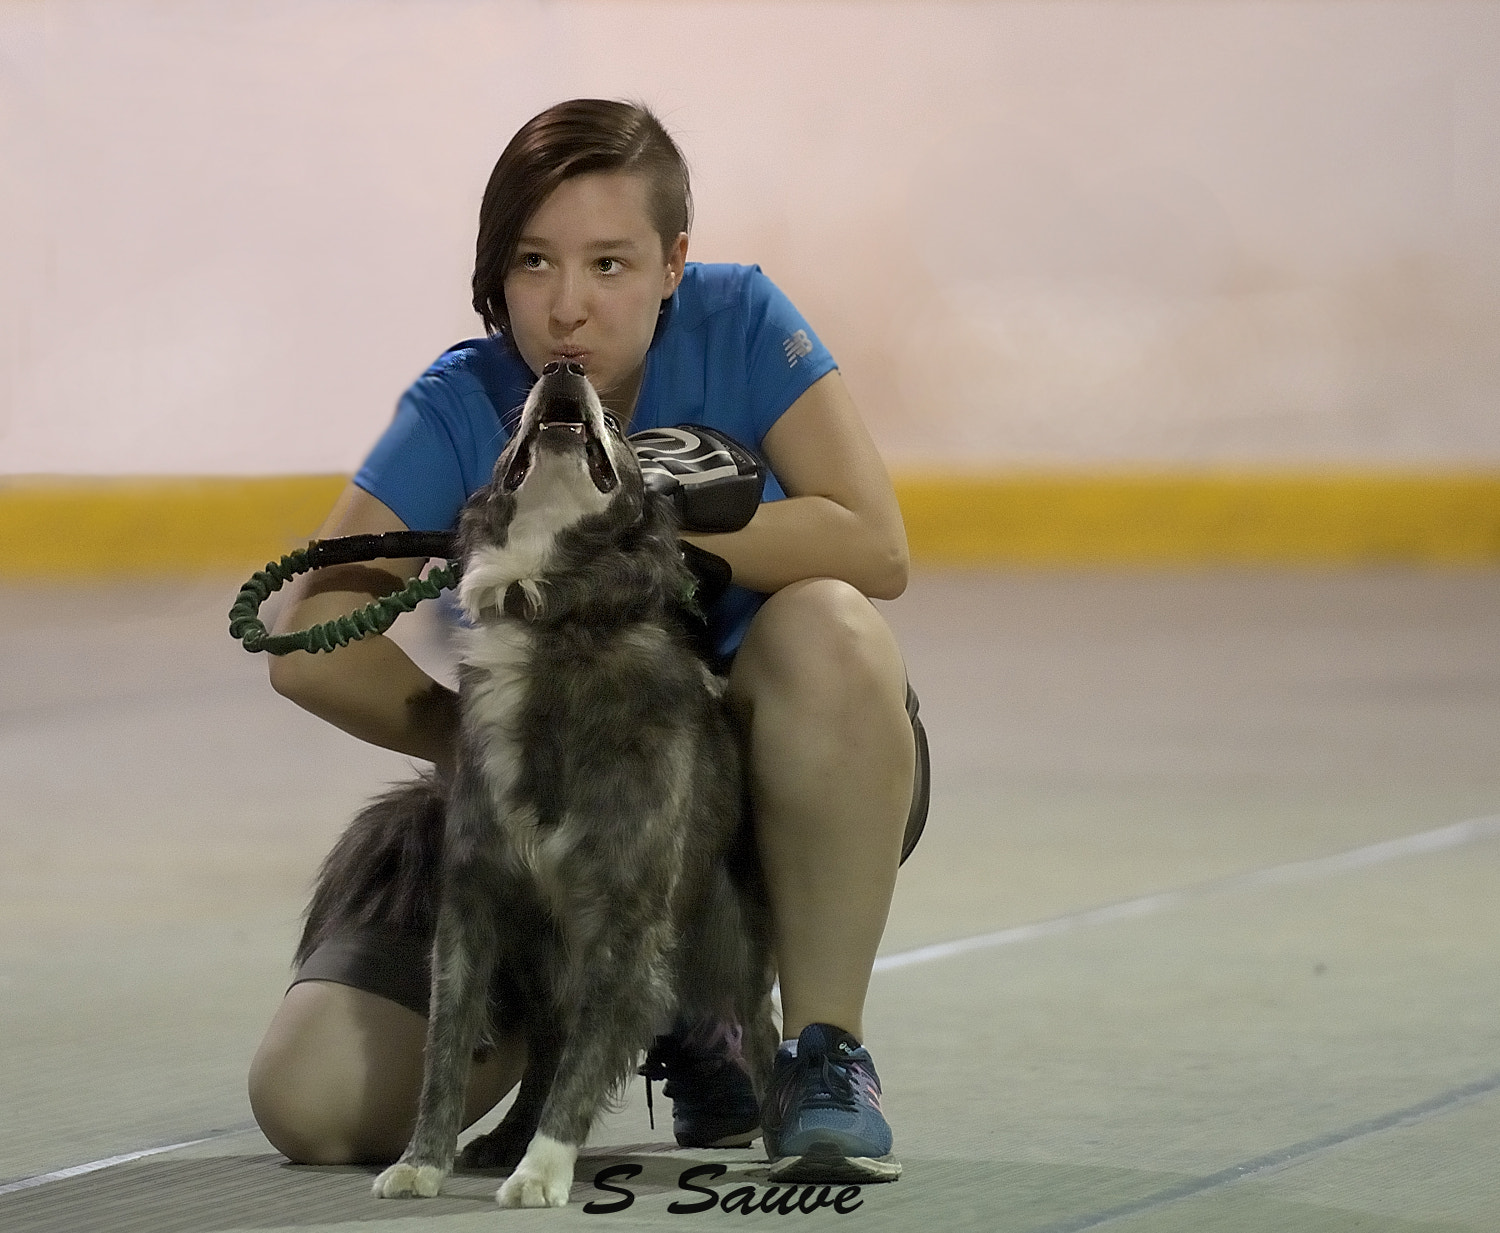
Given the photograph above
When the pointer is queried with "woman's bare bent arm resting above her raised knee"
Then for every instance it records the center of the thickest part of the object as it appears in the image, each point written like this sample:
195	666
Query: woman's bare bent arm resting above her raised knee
841	518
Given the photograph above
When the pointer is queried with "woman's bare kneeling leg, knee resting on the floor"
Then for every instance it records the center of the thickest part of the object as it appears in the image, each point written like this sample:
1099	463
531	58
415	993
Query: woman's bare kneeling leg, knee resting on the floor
338	1076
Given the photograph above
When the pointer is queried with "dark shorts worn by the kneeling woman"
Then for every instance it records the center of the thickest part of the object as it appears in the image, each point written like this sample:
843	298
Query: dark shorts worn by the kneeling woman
397	967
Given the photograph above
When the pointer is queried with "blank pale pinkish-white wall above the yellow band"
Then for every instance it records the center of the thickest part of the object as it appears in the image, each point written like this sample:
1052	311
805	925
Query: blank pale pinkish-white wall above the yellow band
1066	232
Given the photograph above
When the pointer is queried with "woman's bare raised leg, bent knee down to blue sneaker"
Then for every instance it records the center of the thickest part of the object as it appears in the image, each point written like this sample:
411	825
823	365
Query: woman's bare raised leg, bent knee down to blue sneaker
821	685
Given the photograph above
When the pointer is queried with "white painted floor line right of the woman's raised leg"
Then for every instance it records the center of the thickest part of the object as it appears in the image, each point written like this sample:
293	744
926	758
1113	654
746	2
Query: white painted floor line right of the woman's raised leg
1375	854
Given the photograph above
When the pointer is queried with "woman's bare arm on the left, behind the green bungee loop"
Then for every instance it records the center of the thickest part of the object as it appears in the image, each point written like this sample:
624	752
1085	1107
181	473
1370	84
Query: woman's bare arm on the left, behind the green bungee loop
371	689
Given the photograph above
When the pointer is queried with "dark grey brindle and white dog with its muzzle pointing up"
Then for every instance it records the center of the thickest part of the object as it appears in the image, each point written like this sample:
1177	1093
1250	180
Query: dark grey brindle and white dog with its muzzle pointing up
598	880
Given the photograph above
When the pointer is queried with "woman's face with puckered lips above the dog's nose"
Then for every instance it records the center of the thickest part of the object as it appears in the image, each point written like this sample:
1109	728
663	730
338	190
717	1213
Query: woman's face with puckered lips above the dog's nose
589	281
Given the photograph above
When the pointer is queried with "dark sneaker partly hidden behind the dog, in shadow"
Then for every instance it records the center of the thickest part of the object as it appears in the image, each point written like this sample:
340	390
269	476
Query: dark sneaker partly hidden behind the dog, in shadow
713	1102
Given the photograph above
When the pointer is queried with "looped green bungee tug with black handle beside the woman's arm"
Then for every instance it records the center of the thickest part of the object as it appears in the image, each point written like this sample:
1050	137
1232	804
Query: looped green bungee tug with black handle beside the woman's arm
377	617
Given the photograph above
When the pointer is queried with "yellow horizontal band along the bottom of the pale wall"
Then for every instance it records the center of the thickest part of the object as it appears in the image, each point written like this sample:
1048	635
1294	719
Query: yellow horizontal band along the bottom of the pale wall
109	527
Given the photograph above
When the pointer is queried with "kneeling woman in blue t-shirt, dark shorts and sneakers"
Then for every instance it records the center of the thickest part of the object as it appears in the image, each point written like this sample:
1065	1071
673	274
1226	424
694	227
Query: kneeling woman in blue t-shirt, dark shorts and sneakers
583	256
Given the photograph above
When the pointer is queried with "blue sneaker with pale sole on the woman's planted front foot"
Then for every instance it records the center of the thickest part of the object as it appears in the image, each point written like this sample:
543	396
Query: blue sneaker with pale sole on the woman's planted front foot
823	1115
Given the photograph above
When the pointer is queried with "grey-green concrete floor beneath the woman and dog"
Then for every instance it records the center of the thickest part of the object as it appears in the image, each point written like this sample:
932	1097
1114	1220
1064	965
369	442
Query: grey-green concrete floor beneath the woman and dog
1316	1049
